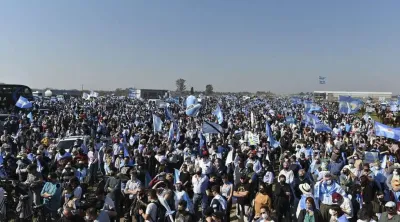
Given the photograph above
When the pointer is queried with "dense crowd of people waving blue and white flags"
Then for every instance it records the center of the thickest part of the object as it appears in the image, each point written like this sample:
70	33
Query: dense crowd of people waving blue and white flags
267	164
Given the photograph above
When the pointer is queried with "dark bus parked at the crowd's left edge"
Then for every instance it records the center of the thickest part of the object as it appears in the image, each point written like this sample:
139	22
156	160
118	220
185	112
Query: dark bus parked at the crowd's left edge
10	93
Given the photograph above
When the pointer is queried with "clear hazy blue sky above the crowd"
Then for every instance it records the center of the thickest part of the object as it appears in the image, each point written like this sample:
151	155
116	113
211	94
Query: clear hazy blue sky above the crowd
258	45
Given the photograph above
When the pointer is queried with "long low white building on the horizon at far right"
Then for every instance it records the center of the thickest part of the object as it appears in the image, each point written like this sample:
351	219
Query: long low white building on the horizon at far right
334	95
